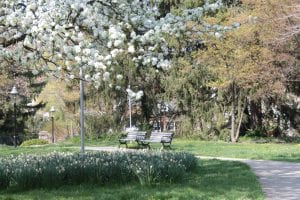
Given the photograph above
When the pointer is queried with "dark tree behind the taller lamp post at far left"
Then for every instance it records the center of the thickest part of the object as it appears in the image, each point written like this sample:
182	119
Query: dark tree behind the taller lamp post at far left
28	86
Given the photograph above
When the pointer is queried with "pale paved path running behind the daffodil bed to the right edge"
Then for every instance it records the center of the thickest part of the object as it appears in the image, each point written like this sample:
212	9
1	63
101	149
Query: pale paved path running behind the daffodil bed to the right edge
279	180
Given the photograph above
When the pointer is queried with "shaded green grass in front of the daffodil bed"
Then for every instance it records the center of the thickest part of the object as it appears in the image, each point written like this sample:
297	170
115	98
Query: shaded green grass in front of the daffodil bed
213	179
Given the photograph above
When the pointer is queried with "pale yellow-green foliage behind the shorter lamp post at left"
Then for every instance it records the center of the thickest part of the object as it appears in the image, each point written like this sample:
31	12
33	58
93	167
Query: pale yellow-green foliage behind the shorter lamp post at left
65	102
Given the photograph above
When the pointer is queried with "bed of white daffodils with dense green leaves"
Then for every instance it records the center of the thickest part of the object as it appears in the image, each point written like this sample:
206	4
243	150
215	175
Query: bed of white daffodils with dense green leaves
56	169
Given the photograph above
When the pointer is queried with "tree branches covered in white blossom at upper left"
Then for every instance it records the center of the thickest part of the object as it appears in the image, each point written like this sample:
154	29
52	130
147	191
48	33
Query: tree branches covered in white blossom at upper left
61	36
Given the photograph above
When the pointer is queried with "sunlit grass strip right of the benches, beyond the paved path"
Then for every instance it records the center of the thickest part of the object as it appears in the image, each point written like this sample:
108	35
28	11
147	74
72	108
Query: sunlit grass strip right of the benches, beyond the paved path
268	151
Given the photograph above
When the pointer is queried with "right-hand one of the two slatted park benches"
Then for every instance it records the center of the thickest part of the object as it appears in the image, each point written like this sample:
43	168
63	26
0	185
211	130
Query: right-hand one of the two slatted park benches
165	138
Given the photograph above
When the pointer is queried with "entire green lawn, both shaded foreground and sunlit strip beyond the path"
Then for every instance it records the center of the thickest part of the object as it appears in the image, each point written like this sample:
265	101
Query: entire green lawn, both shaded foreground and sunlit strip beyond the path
212	180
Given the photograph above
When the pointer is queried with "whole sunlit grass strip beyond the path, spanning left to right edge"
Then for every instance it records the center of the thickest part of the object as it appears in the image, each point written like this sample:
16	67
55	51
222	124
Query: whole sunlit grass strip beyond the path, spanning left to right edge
265	151
